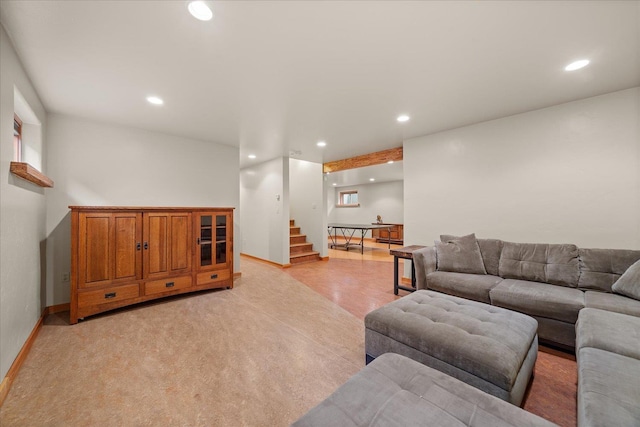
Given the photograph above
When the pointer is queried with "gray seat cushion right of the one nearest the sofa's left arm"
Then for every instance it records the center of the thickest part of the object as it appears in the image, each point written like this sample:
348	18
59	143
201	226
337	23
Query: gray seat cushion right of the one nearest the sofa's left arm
539	299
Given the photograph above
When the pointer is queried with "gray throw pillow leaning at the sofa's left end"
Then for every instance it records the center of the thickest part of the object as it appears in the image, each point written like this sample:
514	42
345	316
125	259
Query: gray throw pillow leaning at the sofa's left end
460	255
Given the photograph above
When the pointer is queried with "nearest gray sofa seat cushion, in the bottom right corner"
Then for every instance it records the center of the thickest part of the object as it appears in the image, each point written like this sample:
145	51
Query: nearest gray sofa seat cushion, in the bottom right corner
608	389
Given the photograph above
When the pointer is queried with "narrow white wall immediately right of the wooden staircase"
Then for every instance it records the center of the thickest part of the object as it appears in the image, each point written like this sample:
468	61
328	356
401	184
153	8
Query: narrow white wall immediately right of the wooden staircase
306	202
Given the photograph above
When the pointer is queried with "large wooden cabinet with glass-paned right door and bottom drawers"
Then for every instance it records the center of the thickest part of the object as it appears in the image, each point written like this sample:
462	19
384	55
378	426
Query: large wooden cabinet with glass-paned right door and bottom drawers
125	255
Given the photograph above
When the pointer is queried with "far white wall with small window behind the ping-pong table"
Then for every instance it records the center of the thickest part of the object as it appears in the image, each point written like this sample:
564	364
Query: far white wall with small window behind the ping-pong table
384	199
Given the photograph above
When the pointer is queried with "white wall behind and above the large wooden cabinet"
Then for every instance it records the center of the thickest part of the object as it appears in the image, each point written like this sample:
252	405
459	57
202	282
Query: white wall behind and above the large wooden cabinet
101	164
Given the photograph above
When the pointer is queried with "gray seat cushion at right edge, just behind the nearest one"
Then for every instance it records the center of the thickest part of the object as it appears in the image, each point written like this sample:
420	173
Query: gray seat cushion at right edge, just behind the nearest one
614	332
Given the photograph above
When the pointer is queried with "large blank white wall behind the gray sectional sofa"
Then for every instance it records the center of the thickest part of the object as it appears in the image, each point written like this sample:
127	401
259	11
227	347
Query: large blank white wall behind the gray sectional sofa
564	174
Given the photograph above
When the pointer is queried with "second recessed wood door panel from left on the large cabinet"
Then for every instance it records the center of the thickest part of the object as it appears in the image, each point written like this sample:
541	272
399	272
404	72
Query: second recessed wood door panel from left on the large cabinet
125	247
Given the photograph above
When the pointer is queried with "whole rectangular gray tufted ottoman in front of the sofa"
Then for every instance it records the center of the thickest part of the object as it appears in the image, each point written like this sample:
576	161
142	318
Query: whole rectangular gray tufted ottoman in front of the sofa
490	348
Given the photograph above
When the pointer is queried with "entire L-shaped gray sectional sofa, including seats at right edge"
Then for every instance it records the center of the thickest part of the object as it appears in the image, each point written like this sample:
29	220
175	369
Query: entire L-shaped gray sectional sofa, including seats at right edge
587	299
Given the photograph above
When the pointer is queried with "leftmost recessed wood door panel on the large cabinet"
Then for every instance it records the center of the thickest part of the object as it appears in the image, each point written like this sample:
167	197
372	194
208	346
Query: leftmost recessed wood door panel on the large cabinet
94	238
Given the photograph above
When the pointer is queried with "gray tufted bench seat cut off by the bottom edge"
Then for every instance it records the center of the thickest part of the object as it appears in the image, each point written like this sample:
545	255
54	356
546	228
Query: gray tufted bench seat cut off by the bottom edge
396	391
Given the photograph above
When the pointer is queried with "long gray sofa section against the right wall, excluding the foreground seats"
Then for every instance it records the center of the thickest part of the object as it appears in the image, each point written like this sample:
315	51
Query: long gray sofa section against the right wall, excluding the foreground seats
550	282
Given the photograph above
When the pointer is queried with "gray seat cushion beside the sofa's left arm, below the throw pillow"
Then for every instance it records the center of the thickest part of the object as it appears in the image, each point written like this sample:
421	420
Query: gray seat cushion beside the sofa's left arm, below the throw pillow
470	286
